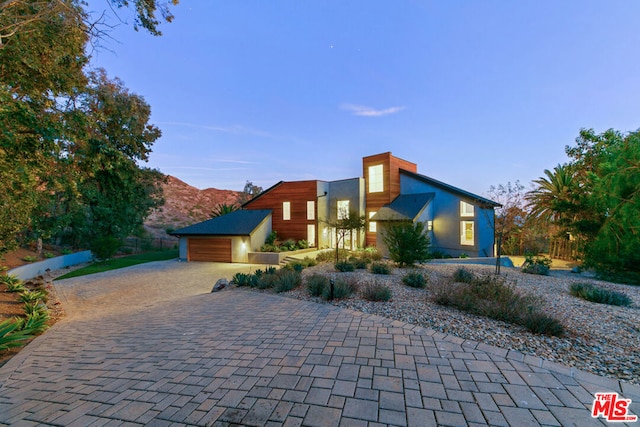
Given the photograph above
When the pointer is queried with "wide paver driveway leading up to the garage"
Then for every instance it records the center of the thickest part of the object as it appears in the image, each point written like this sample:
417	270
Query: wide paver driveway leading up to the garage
148	345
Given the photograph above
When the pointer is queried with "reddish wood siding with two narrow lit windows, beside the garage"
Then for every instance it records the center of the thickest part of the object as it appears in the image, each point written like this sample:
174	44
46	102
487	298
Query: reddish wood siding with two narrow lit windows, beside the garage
298	194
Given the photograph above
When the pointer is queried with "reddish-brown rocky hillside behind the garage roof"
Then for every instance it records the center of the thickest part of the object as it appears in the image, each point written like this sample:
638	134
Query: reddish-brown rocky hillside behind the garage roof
185	205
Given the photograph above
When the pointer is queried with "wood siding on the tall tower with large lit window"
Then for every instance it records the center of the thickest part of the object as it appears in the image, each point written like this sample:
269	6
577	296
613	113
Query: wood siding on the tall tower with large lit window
391	178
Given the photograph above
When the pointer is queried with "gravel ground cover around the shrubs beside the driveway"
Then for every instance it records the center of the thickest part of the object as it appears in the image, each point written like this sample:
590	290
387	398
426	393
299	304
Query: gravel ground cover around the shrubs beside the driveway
601	339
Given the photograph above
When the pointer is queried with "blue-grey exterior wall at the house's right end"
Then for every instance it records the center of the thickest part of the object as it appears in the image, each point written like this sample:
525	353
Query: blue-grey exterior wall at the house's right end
446	220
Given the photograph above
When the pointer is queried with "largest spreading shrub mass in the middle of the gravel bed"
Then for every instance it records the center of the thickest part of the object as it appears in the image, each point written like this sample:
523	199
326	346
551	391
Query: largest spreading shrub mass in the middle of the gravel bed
490	296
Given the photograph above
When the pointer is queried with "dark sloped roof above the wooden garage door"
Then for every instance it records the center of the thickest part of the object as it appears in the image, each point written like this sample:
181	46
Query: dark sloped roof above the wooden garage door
238	223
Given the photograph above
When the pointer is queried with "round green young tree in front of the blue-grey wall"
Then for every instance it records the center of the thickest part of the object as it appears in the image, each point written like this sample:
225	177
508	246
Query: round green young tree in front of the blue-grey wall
407	242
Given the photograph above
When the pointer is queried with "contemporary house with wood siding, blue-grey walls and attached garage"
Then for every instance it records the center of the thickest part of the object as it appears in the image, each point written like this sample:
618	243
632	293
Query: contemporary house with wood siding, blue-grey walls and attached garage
458	222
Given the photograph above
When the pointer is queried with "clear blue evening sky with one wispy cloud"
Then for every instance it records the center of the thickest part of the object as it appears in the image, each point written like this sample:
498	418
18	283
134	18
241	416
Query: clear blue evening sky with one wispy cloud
477	93
